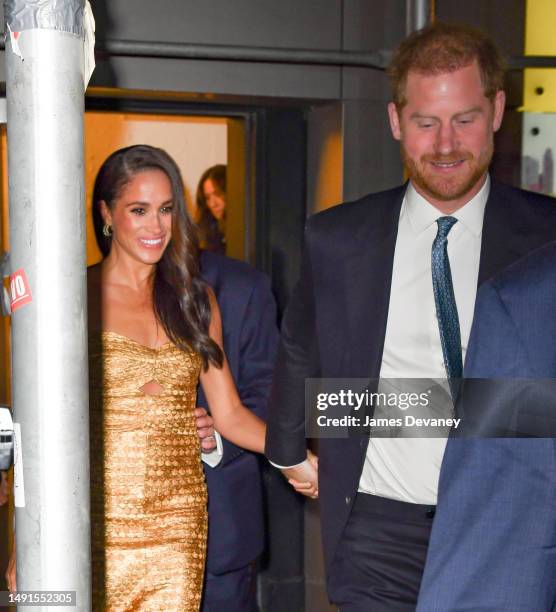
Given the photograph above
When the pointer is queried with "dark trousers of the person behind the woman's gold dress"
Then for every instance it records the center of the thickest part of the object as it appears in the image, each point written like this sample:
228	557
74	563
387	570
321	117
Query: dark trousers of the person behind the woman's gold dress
231	592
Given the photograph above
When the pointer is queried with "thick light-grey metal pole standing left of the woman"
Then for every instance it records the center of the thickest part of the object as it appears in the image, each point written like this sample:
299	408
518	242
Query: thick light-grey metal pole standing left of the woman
45	92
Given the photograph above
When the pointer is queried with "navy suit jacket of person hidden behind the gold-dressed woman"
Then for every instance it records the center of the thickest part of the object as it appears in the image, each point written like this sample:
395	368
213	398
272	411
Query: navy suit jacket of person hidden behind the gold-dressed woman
236	535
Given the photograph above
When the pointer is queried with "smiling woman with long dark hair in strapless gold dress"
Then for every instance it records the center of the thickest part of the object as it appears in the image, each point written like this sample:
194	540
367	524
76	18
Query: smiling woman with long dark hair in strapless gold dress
154	332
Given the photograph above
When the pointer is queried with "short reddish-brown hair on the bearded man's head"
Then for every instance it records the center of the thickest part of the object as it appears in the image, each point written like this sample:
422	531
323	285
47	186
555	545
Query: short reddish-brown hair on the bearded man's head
446	47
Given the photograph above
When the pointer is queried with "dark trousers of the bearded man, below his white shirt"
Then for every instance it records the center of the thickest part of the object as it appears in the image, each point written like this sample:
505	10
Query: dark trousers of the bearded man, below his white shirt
381	556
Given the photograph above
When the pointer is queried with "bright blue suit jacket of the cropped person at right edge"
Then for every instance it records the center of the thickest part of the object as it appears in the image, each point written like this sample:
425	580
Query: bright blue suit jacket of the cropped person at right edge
493	544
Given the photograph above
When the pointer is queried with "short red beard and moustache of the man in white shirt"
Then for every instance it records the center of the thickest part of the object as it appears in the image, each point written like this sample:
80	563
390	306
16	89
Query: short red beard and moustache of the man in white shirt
447	188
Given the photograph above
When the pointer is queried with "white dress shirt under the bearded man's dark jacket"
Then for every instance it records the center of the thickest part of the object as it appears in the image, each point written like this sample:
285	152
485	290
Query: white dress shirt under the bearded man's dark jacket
408	469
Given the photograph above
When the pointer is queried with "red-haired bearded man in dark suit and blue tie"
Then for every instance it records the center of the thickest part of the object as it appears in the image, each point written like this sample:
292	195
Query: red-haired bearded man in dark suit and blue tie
387	290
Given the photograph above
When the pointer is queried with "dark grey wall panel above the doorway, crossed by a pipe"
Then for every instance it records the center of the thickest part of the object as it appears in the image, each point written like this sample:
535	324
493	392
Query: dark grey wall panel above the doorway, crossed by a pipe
311	24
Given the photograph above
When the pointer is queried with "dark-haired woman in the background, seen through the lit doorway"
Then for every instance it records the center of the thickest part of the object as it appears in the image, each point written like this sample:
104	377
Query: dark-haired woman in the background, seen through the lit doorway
211	209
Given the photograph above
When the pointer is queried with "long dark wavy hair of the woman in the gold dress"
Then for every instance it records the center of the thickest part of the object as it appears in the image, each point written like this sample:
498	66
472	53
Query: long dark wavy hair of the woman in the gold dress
180	295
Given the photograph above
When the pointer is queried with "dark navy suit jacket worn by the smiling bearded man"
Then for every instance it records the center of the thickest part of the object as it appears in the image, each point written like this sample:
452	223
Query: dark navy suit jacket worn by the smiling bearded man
335	323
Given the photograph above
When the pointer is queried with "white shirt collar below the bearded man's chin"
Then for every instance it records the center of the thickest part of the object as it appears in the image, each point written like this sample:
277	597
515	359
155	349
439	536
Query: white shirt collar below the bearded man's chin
422	214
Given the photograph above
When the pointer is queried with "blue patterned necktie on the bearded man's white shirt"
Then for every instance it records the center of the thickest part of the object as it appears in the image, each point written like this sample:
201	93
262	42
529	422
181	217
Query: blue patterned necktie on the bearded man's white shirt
446	308
